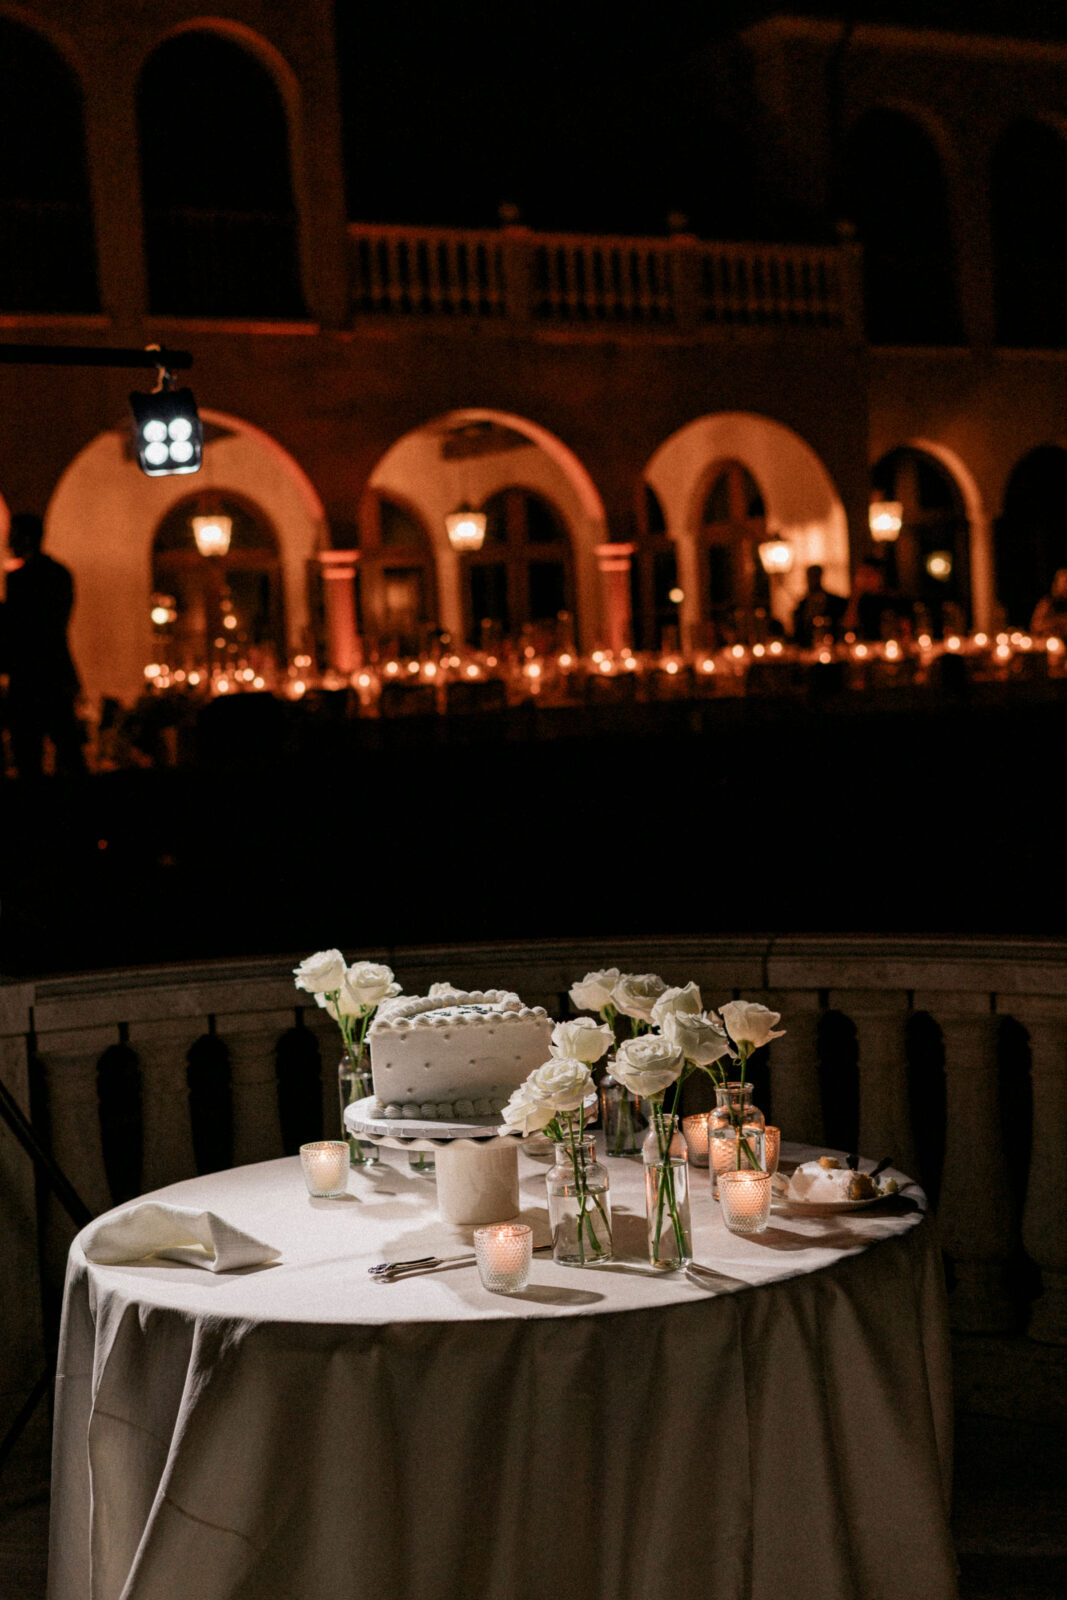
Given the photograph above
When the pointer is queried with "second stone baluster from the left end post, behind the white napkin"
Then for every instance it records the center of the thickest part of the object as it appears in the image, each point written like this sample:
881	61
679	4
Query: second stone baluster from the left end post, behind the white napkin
162	1049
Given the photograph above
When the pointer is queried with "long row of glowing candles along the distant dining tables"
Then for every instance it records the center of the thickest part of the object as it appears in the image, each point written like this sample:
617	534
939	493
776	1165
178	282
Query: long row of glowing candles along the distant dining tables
530	673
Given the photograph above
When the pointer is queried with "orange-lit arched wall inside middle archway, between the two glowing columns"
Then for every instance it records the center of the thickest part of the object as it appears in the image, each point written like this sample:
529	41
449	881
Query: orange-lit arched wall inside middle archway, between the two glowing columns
535	460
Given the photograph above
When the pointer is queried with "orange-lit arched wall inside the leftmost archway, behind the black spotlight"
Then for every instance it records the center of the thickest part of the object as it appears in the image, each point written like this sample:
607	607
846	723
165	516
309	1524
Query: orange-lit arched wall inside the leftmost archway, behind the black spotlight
102	522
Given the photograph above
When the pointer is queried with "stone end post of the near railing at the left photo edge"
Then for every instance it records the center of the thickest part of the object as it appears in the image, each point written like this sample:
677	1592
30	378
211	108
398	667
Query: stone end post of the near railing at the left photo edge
20	1295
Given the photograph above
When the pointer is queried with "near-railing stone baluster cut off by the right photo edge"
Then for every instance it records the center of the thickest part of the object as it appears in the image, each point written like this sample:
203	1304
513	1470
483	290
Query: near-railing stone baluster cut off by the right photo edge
1045	1214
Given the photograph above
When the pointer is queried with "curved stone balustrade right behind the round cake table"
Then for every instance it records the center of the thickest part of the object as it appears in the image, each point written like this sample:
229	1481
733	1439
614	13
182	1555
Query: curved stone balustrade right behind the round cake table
948	1055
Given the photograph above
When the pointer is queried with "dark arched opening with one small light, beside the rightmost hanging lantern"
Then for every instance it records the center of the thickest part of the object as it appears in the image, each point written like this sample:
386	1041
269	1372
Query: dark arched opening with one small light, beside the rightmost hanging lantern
930	562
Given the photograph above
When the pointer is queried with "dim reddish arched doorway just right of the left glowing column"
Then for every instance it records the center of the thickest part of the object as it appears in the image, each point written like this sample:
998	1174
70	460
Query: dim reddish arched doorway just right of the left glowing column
396	577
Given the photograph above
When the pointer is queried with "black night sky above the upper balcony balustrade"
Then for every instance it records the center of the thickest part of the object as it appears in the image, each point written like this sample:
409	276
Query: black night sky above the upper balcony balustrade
586	114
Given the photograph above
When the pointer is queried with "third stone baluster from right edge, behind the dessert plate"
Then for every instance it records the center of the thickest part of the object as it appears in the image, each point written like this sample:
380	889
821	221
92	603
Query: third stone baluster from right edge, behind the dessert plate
885	1124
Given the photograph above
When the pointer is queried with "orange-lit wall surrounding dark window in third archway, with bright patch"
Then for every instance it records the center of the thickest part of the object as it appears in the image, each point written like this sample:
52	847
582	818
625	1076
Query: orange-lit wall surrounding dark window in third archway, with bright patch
801	498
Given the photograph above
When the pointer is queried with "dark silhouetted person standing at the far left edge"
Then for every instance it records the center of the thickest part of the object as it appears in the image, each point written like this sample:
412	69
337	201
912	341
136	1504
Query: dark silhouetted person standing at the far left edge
42	679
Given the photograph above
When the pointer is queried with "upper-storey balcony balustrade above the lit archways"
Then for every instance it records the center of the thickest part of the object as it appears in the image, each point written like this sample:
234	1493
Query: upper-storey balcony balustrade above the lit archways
681	284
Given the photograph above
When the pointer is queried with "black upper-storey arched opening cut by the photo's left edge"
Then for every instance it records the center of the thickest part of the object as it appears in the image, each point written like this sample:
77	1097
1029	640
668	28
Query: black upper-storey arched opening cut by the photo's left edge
49	258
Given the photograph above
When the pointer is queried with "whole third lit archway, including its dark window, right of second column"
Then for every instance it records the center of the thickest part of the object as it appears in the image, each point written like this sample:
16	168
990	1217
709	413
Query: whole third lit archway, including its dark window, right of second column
722	482
